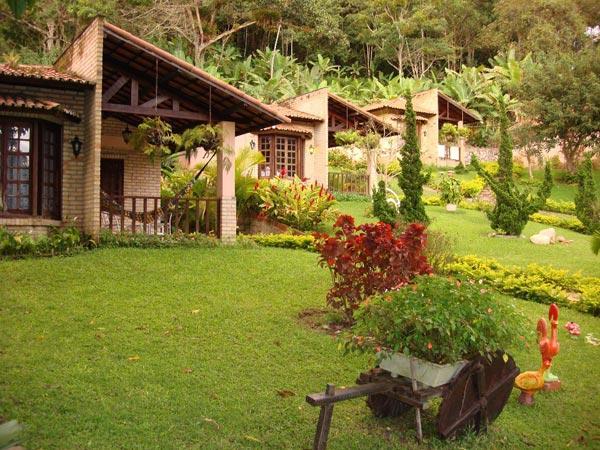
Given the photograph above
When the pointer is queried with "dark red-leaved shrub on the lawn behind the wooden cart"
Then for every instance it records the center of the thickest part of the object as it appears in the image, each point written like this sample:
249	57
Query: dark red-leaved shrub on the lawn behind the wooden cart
369	259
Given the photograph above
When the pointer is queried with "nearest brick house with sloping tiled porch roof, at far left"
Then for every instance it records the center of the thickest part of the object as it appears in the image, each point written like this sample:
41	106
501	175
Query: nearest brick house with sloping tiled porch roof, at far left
106	81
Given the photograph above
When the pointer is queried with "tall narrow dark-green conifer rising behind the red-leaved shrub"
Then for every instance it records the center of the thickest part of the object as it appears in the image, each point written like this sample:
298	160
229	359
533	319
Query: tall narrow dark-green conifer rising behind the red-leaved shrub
411	178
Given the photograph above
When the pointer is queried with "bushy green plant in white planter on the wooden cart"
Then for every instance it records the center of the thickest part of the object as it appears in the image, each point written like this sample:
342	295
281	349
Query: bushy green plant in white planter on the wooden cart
438	324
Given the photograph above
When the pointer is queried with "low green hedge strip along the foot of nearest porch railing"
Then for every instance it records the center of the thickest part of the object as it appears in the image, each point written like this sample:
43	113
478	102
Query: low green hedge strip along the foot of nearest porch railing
140	240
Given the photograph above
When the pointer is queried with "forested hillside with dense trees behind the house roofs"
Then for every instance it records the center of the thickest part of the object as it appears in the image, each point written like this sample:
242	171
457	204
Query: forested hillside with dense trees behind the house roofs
474	50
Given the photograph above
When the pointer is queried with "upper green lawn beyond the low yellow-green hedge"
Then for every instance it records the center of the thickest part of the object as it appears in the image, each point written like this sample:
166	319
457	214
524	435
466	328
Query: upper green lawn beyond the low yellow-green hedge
470	229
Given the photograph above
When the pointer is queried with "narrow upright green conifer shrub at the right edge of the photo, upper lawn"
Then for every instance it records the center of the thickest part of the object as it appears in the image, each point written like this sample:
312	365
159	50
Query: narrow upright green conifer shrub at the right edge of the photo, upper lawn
587	203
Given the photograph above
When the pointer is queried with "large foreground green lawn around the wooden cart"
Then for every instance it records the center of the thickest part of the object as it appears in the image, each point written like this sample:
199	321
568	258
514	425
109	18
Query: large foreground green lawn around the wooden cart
217	334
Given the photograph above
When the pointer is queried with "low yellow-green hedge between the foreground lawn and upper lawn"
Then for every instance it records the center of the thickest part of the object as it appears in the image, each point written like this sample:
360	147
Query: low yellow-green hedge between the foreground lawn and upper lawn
535	282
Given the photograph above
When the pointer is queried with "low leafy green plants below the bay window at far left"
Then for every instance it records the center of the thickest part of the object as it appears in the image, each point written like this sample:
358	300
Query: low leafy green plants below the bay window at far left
59	241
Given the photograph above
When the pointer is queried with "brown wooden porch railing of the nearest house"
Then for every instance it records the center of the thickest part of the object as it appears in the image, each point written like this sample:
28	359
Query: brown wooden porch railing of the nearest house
160	215
